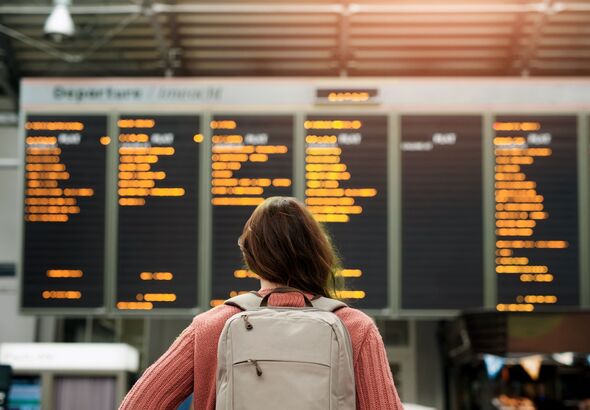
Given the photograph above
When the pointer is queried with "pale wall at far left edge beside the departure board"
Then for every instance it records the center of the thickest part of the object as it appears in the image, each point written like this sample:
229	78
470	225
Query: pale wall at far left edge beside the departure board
13	326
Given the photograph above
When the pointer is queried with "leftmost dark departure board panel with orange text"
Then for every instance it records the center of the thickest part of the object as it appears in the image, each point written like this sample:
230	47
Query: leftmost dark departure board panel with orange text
64	211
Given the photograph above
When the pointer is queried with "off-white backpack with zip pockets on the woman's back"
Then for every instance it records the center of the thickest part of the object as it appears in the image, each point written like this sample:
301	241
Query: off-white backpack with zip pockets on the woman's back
280	358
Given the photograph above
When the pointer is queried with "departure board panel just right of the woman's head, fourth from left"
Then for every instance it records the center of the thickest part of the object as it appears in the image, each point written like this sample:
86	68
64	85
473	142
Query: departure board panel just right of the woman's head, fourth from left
346	189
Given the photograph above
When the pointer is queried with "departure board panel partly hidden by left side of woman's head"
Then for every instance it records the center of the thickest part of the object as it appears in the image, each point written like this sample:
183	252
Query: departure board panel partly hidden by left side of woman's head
251	159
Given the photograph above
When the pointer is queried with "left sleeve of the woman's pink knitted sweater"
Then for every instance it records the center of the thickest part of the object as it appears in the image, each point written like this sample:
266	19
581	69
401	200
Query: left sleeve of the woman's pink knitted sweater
167	382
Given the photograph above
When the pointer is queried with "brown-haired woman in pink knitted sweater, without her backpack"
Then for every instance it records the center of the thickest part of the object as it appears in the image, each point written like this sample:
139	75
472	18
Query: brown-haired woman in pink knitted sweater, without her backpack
285	246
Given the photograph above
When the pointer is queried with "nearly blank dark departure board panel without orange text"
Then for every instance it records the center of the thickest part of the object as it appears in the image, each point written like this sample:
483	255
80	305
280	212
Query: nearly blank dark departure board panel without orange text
442	221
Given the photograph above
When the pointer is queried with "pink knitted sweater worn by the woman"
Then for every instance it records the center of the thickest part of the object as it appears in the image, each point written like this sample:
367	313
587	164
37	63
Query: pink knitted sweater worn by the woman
189	365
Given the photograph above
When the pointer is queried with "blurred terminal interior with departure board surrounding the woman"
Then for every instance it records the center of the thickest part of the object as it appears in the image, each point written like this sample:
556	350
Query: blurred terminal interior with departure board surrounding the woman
444	146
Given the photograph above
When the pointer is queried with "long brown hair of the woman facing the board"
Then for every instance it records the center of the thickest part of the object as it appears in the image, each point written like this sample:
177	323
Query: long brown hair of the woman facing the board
284	244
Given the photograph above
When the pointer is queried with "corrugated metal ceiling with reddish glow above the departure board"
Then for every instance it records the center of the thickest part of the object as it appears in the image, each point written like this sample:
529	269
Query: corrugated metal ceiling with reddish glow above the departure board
298	38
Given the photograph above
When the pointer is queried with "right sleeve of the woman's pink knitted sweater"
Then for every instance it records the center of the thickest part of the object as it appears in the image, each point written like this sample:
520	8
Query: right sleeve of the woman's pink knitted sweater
374	383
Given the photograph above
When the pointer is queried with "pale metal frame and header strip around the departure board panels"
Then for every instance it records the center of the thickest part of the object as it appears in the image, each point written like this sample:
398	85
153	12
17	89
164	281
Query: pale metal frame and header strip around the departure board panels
557	93
